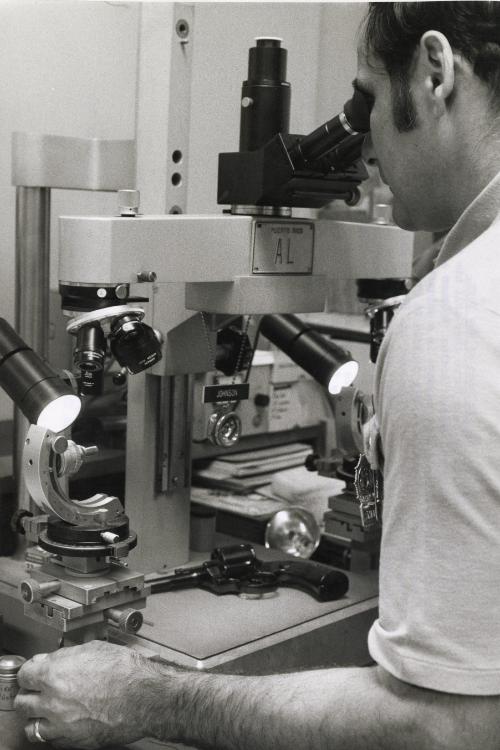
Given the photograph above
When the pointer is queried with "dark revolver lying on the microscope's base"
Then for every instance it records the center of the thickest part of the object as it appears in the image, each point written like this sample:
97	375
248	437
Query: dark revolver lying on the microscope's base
237	570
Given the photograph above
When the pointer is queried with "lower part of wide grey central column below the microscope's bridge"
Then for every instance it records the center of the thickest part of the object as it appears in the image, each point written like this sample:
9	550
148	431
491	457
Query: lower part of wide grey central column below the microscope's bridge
158	469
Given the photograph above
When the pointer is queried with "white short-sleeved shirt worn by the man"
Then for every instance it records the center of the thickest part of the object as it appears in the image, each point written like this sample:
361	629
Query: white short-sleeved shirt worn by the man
437	397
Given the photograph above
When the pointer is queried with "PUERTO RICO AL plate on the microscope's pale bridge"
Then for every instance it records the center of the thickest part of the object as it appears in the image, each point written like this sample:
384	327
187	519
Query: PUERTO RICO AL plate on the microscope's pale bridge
283	247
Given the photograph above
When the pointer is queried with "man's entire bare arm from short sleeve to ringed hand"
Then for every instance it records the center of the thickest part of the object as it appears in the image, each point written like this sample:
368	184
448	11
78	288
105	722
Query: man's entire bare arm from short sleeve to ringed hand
99	695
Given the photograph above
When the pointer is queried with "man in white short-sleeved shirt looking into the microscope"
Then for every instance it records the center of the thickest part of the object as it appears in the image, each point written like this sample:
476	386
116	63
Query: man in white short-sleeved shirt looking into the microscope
432	73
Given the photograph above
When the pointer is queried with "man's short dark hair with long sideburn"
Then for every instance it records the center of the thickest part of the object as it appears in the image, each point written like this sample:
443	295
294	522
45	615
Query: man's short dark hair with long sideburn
392	32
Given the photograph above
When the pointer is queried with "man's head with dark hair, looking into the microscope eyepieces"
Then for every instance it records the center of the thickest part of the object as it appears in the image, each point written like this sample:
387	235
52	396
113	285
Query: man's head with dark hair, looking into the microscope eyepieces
433	72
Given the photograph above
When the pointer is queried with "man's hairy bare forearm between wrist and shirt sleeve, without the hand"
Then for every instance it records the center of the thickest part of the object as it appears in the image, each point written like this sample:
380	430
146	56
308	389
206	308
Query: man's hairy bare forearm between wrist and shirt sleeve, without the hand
329	708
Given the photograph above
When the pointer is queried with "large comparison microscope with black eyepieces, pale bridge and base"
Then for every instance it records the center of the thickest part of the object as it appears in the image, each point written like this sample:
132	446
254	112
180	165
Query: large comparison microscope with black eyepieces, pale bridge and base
169	297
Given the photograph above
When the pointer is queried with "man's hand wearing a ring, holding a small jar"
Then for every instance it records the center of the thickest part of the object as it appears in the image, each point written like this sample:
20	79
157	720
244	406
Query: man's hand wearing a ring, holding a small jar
90	696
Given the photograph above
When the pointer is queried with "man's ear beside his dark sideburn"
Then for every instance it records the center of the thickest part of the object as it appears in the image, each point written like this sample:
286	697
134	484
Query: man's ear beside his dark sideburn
436	63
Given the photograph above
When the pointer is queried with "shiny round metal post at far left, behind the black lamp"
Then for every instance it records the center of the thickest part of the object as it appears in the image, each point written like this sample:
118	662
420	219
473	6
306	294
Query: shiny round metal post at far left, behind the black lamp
32	295
